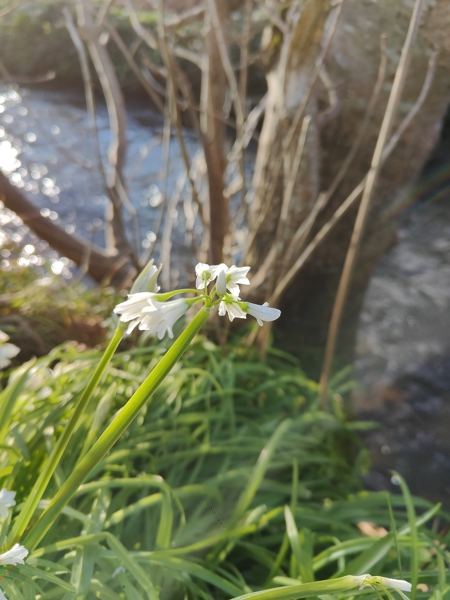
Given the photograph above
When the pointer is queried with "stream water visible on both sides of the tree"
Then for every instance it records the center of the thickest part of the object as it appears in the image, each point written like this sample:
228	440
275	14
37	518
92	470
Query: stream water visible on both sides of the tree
403	351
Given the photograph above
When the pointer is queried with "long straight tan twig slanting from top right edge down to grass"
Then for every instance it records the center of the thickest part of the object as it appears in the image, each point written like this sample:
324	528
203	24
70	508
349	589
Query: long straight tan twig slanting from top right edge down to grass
369	187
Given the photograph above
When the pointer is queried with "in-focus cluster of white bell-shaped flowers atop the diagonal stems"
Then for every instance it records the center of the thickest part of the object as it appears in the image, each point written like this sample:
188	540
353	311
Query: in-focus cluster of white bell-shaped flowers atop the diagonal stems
153	312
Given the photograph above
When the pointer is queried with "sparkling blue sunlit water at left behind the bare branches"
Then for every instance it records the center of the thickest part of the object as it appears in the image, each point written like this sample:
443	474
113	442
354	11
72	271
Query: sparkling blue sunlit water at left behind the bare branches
47	150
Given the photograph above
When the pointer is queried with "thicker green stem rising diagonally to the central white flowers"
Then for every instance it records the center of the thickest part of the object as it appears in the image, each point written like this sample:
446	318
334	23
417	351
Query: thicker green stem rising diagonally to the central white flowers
115	430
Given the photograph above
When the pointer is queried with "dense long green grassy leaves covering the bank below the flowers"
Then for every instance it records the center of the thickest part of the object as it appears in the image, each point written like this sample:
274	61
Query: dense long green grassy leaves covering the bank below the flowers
192	500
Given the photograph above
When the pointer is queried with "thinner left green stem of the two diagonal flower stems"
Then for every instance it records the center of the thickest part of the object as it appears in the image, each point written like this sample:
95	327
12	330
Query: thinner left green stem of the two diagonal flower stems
40	486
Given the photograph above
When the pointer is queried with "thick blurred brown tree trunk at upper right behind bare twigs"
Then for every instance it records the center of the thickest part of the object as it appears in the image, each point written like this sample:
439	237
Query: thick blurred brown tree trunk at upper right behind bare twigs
352	63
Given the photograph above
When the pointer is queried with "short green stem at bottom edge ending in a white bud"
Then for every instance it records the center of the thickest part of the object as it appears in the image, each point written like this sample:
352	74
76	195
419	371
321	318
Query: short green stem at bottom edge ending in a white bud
304	590
